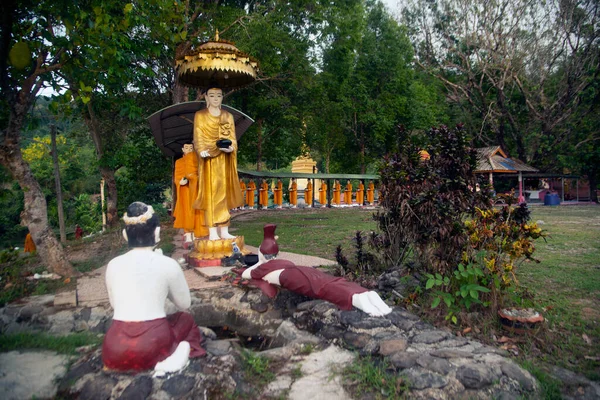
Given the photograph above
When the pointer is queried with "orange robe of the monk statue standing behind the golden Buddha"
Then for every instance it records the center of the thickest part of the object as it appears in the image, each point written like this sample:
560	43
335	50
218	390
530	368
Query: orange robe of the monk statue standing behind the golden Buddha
186	217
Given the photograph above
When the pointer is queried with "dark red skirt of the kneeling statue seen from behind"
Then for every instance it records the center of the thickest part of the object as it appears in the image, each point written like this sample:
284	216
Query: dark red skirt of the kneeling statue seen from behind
139	346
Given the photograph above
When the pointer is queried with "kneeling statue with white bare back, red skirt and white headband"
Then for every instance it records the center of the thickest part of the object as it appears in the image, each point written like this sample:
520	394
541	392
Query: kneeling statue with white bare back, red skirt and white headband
142	336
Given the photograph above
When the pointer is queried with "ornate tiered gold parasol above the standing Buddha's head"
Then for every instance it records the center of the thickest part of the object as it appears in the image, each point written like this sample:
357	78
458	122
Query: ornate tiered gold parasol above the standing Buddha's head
216	63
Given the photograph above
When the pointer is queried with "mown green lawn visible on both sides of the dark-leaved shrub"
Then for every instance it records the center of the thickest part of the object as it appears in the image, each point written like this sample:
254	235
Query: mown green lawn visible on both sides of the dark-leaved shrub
565	285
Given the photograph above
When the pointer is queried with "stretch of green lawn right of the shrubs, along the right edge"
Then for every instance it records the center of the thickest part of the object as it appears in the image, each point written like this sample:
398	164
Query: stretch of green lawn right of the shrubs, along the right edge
566	283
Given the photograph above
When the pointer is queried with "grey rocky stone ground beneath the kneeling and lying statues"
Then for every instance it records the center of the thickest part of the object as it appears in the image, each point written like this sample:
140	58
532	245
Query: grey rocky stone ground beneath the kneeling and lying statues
308	344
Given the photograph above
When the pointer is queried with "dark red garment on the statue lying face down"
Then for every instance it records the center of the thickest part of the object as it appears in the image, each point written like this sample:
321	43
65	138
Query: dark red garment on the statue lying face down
311	282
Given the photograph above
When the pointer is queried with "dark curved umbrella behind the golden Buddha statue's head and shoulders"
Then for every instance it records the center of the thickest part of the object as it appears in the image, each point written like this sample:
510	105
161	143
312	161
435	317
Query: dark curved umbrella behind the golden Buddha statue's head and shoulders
173	126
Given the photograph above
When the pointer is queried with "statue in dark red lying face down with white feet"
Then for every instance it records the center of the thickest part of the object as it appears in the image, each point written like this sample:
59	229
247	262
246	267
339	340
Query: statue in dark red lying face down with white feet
309	281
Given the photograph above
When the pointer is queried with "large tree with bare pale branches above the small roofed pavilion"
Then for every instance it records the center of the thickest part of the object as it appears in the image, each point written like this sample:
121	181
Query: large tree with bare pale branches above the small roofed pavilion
517	68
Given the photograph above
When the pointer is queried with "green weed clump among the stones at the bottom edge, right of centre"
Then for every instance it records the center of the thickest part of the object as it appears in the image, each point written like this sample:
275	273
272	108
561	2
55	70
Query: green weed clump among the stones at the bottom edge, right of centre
374	377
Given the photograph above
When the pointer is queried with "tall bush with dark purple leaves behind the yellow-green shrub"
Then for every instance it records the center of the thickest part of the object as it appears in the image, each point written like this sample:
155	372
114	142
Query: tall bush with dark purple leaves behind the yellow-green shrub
425	200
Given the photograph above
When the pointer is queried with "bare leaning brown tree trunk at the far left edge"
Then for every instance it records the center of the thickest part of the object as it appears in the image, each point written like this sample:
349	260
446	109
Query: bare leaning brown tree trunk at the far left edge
35	212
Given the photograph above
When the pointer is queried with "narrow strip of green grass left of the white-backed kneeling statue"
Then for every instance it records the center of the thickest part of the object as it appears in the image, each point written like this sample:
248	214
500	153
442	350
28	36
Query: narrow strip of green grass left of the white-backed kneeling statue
61	344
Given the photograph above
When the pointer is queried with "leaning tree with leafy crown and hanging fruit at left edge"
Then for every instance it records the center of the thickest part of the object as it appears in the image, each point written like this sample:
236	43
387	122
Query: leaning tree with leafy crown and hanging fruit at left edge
32	46
